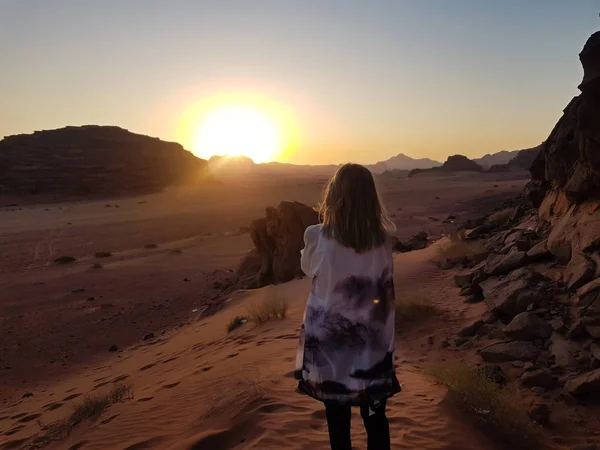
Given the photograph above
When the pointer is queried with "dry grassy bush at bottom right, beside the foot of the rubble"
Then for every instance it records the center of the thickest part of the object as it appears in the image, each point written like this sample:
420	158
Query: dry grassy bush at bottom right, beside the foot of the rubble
499	409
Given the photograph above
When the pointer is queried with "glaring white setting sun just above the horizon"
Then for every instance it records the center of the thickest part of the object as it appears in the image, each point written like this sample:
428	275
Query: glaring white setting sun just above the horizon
237	130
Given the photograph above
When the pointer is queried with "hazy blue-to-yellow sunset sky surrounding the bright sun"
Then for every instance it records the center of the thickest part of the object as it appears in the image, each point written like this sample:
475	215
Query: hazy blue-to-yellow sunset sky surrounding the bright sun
355	80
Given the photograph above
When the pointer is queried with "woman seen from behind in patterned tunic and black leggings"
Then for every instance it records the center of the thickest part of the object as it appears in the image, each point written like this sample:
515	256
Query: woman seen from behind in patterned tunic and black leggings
346	352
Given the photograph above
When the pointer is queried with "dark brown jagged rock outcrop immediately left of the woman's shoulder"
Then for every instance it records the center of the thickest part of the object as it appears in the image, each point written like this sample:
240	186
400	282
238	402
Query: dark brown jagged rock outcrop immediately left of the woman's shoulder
278	238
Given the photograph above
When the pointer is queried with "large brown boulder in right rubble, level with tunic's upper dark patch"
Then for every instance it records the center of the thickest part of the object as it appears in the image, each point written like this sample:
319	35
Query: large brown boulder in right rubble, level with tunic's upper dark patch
514	293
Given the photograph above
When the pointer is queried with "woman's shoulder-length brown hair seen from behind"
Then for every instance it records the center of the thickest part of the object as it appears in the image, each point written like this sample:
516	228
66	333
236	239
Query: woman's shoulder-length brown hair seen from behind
351	210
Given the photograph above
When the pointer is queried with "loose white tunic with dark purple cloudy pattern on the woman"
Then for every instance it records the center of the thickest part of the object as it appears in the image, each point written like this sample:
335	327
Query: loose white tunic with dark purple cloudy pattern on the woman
346	351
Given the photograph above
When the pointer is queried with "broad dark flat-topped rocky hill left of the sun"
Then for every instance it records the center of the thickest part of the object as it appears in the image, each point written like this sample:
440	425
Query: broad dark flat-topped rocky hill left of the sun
93	161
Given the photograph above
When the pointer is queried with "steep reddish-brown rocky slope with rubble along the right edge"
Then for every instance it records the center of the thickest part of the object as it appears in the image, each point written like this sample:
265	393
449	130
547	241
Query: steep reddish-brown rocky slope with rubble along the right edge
539	265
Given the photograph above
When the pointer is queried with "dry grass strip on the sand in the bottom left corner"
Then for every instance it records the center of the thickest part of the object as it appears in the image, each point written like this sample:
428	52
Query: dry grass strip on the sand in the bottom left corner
88	408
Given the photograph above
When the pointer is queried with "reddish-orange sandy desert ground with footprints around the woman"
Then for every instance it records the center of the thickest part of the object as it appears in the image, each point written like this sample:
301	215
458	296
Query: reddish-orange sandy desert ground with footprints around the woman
196	386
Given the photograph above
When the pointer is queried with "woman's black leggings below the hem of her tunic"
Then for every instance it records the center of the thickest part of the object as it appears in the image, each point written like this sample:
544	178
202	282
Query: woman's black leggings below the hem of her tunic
374	418
